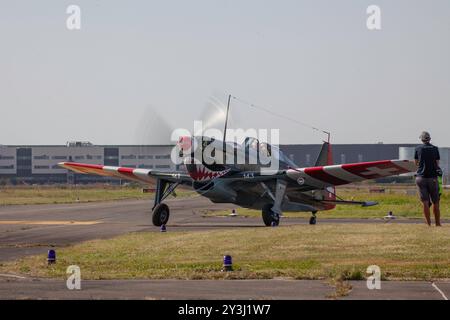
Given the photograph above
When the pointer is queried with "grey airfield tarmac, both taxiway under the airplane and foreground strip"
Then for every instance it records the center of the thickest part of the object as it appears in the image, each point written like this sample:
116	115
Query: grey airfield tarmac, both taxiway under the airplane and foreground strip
33	229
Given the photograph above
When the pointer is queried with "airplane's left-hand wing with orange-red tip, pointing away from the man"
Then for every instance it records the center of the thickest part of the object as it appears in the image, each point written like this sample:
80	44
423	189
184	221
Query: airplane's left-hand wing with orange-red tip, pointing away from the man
140	175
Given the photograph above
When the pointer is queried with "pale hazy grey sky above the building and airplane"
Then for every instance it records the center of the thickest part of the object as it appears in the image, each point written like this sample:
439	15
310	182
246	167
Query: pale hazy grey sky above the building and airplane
136	65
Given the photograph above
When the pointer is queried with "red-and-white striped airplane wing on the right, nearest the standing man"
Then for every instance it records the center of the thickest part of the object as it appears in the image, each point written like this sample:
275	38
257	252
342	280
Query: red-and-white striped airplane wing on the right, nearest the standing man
335	175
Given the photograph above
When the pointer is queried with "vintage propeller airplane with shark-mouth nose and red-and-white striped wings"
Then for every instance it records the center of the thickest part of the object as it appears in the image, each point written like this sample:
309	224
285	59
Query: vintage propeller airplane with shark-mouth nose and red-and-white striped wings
288	188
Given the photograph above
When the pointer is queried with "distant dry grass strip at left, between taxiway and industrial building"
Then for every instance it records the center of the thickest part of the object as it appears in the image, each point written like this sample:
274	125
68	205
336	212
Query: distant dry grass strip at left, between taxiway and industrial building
71	194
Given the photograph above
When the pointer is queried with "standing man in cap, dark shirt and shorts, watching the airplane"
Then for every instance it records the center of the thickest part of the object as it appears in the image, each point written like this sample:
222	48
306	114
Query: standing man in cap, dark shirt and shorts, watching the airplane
427	159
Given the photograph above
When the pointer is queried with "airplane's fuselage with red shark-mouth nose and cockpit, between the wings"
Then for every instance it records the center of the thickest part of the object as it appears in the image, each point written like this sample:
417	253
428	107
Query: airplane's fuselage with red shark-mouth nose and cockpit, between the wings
230	172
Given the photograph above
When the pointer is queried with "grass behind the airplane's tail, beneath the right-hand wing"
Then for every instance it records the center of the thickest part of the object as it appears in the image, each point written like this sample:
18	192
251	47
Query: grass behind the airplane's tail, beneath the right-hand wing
395	200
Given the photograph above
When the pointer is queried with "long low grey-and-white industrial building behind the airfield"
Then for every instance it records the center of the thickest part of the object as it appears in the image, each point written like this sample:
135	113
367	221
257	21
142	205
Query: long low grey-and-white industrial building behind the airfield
38	164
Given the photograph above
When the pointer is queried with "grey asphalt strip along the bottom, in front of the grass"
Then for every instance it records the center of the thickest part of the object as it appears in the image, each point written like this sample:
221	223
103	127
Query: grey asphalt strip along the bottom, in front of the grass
25	288
